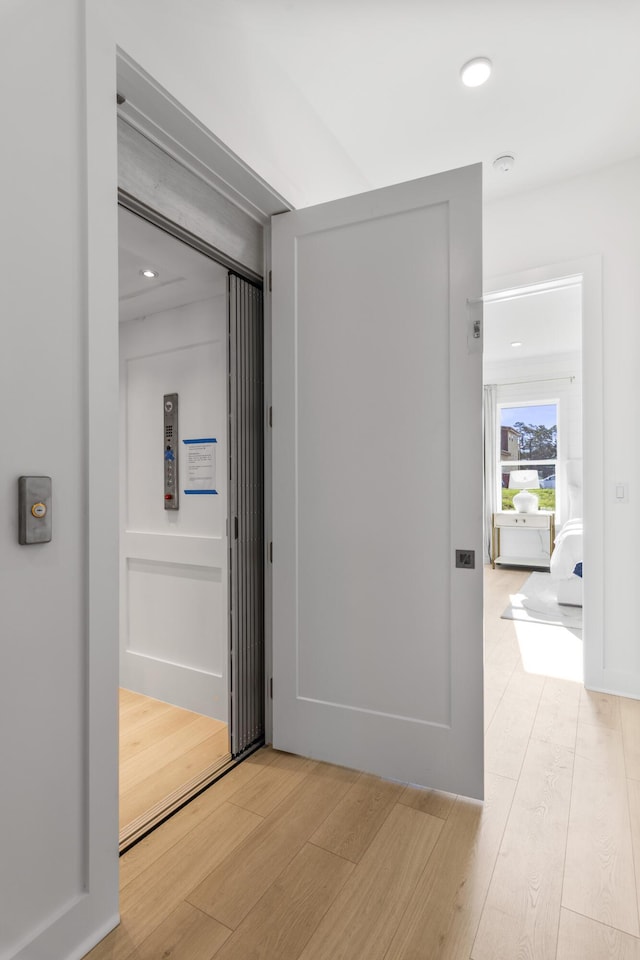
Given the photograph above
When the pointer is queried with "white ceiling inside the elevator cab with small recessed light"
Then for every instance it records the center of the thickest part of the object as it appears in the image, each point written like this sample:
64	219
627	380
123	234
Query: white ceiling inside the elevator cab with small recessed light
184	275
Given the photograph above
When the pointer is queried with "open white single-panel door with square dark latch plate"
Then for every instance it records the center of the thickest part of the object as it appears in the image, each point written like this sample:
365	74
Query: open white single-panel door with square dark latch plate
377	659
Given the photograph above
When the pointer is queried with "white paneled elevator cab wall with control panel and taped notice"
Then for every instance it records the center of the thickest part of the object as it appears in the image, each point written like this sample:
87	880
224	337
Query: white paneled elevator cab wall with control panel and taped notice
174	593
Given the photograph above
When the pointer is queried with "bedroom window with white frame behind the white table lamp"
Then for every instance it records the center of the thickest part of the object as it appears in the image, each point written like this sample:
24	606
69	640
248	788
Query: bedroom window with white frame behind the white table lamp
528	452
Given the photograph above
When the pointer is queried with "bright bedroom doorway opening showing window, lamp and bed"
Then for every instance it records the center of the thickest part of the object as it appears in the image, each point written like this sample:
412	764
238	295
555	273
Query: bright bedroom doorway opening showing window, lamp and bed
533	414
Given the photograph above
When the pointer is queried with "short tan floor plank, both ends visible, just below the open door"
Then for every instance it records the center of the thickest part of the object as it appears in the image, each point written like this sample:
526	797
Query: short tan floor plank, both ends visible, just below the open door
354	822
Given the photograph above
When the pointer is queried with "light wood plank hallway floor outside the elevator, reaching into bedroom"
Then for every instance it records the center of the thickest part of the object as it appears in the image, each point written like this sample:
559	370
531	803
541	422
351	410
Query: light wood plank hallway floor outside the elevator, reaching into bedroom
287	859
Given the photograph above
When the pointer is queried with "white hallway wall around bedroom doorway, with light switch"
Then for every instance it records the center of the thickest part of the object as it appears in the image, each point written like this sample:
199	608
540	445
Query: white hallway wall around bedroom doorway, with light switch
596	214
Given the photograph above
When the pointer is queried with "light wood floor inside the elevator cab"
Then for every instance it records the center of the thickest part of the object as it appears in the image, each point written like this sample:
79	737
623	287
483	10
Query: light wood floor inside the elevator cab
163	750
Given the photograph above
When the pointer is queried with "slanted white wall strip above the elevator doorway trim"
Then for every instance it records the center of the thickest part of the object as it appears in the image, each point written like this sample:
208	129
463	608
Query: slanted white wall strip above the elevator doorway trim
240	92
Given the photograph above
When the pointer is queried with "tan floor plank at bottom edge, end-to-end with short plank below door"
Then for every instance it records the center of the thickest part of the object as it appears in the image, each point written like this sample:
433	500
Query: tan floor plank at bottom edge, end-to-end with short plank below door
280	925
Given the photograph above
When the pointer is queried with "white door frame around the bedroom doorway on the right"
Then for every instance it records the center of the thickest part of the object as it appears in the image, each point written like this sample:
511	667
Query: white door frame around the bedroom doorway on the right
589	269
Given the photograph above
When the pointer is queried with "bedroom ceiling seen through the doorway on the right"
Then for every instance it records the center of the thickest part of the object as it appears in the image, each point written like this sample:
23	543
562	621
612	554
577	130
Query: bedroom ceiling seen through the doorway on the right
546	323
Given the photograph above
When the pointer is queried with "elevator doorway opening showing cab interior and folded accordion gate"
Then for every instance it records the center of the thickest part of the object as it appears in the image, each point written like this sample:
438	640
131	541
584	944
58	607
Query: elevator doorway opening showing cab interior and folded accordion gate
191	522
